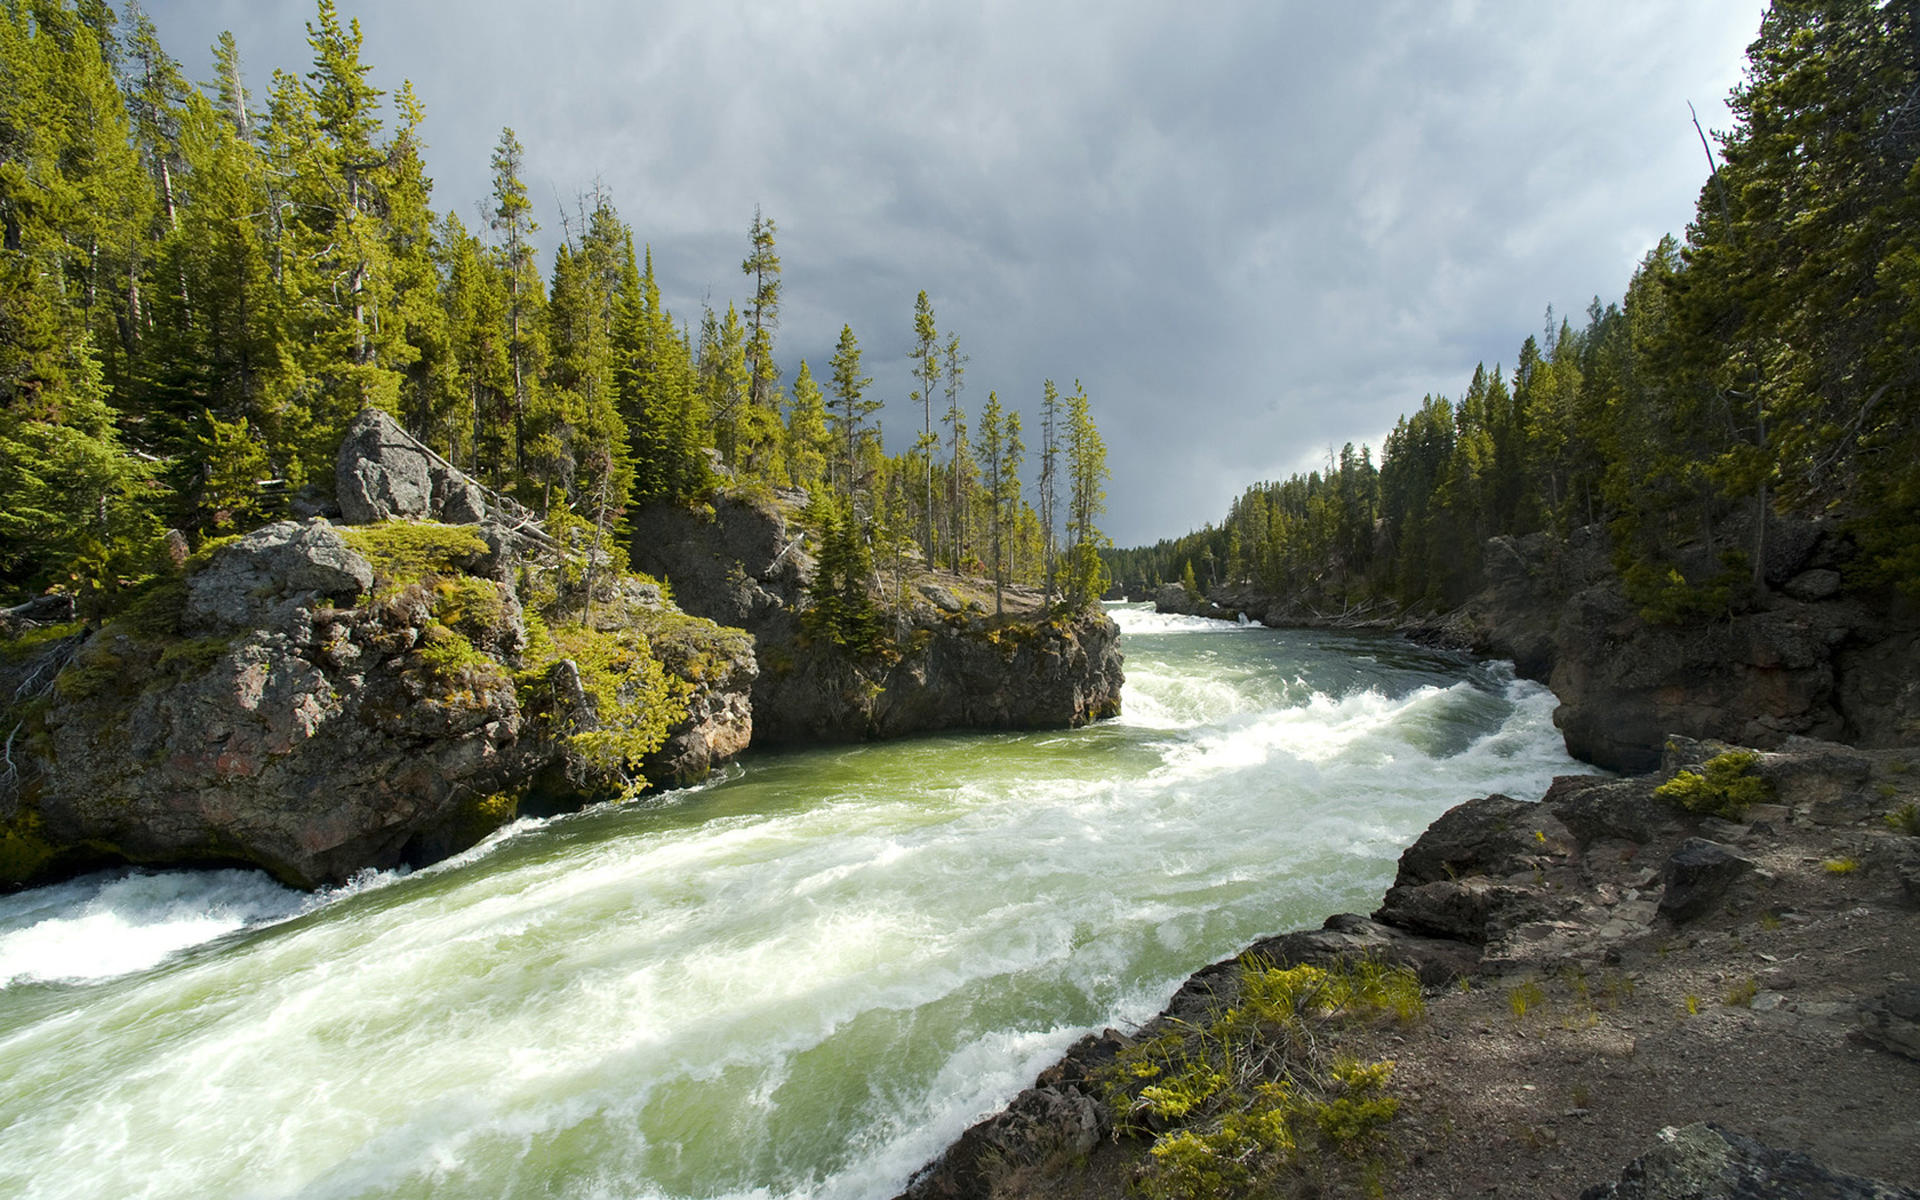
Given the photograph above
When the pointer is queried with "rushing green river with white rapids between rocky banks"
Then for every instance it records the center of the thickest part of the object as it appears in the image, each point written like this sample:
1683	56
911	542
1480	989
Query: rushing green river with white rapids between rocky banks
802	980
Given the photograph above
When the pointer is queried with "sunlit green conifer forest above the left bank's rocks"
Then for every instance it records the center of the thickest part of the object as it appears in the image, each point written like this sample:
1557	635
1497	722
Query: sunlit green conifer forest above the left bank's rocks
199	289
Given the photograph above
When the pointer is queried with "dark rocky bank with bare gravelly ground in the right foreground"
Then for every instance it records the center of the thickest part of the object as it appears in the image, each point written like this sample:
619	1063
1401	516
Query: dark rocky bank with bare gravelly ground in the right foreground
1602	974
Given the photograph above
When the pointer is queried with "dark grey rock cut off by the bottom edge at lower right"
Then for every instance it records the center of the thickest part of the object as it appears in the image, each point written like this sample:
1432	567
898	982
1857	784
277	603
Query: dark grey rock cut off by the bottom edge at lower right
1706	1163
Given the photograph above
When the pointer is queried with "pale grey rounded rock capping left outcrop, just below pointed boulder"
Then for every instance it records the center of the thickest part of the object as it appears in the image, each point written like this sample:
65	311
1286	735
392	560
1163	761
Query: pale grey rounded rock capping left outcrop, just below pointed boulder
268	577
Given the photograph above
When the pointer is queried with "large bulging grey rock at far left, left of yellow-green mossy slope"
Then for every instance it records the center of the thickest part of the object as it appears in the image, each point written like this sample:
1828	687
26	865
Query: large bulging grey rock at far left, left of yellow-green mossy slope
306	738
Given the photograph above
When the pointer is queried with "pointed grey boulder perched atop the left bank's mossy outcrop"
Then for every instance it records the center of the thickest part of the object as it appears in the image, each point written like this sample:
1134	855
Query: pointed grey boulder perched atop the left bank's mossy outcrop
385	471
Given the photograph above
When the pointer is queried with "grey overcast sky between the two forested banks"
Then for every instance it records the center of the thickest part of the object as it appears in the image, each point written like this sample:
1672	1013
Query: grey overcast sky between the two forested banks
1253	229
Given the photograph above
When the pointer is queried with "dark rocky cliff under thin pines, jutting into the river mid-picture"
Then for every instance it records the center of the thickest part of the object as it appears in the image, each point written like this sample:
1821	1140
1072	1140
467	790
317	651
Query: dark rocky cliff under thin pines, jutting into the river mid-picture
953	665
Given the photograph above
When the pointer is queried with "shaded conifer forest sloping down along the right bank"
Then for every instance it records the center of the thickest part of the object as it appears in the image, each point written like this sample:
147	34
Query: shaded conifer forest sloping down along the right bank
1764	366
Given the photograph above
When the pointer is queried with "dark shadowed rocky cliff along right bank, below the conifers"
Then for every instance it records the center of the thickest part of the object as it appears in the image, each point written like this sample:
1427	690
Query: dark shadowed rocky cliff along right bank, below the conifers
1800	658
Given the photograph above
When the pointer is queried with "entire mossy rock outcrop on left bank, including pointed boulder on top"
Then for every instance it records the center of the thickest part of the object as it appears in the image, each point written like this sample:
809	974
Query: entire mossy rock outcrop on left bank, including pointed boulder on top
318	700
